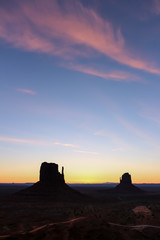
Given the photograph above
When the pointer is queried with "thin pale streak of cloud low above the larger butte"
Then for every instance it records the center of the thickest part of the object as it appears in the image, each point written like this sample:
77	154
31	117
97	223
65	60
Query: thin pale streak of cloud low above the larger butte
35	142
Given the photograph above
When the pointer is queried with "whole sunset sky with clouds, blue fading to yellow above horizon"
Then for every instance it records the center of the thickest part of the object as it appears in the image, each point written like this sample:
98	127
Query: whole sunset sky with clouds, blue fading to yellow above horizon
79	86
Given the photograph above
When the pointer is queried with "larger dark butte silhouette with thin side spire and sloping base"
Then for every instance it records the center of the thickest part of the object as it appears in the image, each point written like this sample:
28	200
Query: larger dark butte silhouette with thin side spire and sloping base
52	184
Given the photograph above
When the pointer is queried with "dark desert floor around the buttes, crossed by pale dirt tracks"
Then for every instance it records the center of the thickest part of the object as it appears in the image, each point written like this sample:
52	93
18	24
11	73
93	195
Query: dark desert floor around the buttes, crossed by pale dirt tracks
104	216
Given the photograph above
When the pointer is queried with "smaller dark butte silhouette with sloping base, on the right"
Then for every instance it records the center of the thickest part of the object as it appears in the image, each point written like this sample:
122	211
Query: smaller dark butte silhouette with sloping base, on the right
126	186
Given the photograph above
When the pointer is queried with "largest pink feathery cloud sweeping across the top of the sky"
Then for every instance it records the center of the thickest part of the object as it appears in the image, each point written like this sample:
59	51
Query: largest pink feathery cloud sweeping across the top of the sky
67	32
